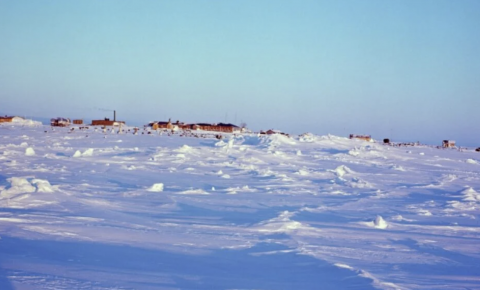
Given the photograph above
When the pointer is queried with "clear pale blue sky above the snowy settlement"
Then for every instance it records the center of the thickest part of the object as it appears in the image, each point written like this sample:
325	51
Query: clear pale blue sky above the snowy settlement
407	70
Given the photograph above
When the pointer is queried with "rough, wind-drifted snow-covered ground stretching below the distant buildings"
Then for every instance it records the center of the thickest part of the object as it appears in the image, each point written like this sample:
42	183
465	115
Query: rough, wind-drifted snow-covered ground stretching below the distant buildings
95	210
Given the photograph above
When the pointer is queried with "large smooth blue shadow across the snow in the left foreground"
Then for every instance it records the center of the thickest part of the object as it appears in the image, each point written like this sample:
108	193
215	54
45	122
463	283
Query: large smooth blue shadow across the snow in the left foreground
265	266
